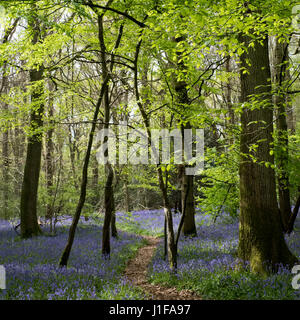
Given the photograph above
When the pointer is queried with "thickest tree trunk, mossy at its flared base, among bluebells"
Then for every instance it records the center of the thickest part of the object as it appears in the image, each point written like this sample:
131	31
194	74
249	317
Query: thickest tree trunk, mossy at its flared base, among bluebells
261	239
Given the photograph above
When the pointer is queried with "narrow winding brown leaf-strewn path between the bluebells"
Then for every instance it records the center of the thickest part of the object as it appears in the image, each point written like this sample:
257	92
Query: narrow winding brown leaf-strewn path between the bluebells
136	272
